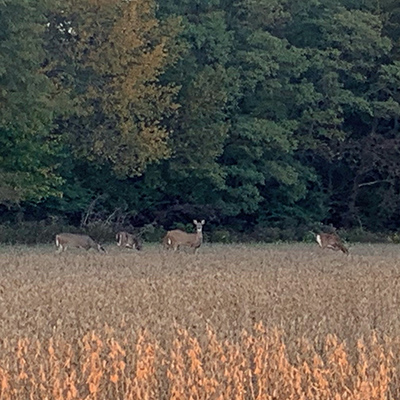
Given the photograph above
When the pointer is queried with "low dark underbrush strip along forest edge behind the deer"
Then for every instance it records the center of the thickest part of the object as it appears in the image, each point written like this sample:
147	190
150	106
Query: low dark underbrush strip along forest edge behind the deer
36	232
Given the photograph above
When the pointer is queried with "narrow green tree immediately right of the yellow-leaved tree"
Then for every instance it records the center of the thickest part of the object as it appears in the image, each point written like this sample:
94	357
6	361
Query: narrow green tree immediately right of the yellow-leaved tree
207	97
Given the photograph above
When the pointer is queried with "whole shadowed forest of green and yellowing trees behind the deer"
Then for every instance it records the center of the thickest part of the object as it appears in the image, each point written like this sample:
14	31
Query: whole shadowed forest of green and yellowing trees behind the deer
267	118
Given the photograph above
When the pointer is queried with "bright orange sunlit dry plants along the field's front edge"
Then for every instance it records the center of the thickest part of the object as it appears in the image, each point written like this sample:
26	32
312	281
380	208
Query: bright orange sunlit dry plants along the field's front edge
254	366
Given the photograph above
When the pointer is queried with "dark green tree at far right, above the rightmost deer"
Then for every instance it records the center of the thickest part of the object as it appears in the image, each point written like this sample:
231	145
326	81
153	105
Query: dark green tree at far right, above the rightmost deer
352	127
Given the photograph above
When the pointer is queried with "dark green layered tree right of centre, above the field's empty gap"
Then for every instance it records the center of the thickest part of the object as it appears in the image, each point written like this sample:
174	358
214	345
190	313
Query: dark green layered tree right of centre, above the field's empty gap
259	153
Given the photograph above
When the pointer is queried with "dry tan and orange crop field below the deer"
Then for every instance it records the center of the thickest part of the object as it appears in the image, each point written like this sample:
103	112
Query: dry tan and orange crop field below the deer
284	321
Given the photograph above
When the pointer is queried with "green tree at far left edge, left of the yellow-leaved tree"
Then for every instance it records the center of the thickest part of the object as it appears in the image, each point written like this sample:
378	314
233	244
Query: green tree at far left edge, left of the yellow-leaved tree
29	103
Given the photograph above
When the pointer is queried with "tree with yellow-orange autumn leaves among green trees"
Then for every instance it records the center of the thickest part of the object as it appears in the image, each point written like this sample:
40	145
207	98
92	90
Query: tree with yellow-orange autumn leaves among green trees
109	55
